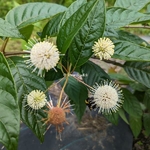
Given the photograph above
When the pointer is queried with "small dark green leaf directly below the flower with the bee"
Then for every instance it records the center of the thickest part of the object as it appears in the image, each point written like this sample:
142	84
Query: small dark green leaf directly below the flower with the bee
113	118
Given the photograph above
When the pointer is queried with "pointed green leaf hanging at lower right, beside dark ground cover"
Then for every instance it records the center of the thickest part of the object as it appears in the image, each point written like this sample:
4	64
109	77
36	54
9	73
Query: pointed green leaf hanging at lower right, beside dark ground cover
135	125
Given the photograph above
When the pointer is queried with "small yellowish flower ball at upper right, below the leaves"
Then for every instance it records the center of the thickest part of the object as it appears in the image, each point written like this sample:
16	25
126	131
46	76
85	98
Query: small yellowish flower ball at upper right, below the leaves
104	48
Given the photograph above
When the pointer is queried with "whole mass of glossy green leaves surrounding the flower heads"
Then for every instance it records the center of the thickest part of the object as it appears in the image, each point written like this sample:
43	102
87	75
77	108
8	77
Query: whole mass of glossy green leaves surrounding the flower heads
76	28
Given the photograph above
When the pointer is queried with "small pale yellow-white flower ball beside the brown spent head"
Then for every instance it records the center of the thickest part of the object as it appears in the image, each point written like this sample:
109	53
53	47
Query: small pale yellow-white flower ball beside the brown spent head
36	99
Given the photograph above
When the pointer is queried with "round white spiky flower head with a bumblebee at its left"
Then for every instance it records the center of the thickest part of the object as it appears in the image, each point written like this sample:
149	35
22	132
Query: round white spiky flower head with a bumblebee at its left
108	97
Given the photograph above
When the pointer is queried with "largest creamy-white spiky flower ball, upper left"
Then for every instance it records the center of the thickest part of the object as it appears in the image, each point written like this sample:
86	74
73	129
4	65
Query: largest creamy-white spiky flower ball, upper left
43	55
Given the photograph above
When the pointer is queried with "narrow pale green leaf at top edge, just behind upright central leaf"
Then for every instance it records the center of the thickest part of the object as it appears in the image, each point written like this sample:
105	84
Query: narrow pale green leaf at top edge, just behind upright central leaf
71	10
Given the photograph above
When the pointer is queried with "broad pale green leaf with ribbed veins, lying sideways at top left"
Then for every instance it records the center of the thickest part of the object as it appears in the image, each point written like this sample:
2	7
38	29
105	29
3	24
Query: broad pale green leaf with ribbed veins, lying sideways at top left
30	13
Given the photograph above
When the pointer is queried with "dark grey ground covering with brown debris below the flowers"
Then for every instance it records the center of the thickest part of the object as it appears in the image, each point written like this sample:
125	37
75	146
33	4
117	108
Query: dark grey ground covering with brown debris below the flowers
93	133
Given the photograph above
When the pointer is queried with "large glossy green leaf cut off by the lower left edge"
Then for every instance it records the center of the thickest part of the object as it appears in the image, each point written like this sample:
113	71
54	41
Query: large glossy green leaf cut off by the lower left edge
9	110
